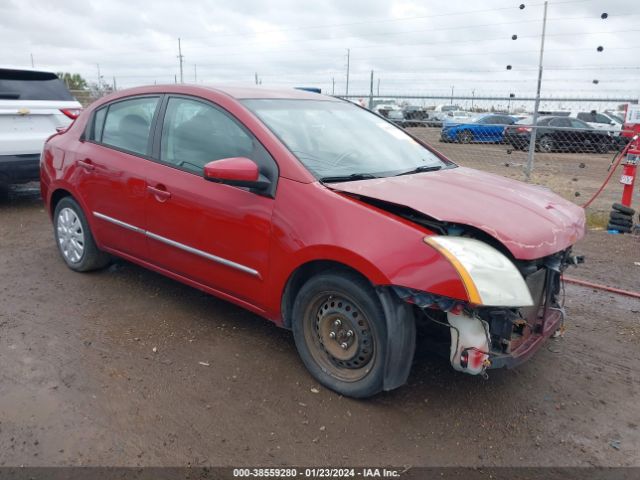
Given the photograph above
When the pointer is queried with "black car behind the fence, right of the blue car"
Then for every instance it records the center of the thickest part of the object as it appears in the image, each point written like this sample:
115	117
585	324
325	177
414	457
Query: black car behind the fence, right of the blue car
559	134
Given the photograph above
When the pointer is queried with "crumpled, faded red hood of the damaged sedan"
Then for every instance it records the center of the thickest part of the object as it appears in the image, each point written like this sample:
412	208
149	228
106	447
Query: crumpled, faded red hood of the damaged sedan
531	221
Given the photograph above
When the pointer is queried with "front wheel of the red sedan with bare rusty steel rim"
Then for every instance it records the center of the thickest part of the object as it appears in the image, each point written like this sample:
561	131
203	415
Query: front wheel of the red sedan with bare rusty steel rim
340	332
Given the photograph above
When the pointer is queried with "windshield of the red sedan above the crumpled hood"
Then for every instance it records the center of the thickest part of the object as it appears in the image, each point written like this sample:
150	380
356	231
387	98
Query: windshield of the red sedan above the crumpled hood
338	139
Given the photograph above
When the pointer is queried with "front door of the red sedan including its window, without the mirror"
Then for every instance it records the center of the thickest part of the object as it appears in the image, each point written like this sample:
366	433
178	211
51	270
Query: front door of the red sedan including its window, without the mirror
214	234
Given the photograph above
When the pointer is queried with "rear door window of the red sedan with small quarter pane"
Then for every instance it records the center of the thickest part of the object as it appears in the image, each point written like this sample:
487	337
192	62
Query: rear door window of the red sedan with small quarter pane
128	123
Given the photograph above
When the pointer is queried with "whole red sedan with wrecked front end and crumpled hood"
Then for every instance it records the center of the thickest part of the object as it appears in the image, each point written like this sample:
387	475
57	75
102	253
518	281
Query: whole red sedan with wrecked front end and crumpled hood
320	216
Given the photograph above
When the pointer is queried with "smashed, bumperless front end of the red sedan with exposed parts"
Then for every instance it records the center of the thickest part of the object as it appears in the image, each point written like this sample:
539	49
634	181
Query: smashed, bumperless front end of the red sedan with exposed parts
481	336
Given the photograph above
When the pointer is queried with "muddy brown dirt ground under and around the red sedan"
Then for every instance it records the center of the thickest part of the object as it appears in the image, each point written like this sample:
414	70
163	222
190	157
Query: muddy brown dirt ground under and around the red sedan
80	383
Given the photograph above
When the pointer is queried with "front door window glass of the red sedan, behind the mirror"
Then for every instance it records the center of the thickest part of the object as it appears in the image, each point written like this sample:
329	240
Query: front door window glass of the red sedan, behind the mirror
195	133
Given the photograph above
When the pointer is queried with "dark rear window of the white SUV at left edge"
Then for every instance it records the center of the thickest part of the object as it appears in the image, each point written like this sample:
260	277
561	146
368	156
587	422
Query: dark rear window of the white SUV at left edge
27	85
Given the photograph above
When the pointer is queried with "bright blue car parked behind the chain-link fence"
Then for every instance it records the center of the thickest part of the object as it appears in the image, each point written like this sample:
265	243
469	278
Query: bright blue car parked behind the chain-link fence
486	128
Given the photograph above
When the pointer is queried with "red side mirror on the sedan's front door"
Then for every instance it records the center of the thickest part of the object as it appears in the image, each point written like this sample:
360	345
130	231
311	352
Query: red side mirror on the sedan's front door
236	171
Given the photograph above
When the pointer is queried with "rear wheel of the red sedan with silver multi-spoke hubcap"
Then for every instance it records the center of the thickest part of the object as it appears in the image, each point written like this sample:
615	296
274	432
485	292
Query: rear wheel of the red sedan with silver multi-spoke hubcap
74	238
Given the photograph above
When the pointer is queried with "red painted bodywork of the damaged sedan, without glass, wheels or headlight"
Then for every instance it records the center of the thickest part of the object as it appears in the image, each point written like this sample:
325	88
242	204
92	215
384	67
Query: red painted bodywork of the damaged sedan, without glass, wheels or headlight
160	207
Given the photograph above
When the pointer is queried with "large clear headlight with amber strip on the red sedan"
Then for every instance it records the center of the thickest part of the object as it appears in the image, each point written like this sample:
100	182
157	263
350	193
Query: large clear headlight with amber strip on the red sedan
489	277
